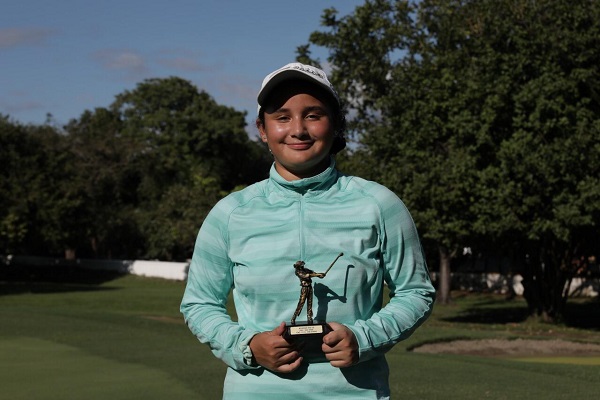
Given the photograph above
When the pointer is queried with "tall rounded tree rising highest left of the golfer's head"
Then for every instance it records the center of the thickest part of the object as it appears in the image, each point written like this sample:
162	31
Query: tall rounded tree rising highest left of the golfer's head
182	127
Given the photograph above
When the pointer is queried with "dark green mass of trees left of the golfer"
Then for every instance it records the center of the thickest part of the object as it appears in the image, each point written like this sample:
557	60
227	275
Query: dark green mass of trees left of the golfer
134	180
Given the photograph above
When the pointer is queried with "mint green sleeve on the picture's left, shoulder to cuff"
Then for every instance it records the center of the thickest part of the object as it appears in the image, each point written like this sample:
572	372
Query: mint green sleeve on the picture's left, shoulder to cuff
204	302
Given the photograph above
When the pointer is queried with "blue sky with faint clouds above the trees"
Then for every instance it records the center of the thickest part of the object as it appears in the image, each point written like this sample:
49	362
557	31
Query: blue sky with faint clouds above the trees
65	57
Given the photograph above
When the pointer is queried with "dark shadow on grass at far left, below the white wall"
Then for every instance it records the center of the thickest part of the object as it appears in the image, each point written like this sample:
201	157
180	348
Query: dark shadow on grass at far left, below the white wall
55	279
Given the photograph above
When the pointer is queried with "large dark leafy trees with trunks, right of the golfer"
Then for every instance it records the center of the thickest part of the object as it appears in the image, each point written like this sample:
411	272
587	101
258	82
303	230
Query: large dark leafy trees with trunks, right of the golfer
465	108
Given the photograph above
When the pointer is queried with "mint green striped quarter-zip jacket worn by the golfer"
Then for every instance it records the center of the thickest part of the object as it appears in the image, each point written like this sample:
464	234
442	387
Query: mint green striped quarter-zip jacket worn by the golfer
249	243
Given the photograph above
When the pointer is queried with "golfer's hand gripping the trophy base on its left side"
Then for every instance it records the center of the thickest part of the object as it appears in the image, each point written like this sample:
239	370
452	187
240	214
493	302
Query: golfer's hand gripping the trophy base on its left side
273	352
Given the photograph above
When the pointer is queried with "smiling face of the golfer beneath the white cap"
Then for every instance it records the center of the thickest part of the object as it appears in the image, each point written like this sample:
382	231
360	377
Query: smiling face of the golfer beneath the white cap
299	131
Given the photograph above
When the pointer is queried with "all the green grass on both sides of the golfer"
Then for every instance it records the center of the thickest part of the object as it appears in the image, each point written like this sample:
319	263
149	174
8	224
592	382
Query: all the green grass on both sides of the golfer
124	338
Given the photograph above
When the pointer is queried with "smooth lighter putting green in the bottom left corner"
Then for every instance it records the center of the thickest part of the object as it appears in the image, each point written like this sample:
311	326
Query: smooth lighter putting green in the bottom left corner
67	371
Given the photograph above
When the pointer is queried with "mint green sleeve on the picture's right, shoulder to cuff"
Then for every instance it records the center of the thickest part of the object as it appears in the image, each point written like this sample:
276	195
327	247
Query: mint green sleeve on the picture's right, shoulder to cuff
405	272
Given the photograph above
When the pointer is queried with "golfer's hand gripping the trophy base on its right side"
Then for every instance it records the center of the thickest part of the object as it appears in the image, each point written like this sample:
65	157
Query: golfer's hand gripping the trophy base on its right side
340	346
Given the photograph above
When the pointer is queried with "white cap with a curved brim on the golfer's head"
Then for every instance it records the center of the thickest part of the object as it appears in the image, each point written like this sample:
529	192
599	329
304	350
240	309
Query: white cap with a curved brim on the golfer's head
295	71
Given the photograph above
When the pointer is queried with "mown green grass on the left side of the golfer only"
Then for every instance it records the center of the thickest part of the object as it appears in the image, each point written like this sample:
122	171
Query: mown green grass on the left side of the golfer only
131	325
